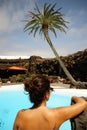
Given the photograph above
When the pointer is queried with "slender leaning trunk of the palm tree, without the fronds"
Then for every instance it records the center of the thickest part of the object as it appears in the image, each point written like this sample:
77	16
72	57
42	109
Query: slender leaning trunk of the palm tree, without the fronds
73	81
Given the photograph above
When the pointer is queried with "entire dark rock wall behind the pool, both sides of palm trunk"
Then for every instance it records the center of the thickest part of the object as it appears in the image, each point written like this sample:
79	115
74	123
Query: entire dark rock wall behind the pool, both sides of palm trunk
75	63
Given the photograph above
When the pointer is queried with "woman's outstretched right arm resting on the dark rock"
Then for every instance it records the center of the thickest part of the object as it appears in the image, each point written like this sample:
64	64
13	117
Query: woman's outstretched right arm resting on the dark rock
65	113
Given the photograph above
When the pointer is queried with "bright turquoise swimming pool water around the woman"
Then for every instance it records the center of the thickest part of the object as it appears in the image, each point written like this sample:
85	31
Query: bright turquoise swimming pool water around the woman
12	101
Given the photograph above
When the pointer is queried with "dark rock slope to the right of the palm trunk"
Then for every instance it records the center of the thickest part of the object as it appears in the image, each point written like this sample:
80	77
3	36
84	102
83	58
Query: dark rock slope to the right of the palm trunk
77	65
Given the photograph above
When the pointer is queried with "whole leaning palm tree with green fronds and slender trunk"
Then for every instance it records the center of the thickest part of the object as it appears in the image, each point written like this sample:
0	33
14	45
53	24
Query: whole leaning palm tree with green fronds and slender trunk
46	21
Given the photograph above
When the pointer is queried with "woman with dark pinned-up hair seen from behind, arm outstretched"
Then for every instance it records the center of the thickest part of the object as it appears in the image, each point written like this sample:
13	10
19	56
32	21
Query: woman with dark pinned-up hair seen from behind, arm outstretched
39	116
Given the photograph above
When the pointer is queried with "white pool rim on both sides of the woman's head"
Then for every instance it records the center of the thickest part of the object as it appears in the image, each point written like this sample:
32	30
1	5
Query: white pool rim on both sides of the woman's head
57	89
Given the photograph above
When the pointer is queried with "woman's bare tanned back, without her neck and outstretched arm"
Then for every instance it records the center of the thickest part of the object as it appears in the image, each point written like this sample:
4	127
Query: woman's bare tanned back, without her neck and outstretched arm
37	119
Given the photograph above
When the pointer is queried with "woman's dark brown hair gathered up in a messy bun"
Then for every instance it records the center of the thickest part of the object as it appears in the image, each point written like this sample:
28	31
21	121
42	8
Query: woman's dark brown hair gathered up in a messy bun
37	88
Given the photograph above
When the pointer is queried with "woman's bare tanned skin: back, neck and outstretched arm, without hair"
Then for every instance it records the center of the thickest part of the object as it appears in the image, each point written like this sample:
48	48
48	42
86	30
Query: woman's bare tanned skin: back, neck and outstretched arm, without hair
43	118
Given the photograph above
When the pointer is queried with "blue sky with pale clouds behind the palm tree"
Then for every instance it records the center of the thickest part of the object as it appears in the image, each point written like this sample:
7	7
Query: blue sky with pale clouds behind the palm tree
14	42
